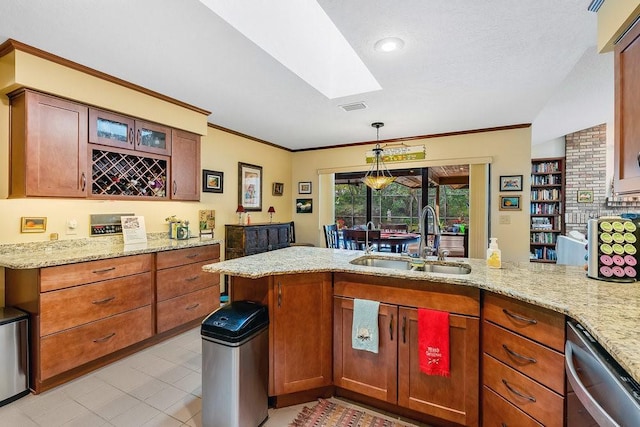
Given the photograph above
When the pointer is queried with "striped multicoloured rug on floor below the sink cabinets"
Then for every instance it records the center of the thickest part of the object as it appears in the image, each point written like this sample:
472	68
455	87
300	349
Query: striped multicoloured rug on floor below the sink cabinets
329	414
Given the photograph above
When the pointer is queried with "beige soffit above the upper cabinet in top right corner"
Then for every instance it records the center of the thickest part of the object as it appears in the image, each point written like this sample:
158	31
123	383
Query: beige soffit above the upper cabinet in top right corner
614	17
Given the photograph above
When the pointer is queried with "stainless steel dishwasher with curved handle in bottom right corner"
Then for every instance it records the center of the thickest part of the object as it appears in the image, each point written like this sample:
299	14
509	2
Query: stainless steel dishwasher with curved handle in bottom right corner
599	390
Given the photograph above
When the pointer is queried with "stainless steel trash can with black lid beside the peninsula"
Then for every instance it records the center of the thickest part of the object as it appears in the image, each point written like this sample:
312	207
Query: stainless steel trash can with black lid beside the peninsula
235	355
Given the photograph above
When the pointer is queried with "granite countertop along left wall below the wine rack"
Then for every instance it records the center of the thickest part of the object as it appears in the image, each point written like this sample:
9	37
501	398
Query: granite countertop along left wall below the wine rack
60	252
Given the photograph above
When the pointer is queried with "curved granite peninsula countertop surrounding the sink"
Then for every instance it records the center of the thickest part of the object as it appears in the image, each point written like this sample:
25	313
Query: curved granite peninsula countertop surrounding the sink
609	311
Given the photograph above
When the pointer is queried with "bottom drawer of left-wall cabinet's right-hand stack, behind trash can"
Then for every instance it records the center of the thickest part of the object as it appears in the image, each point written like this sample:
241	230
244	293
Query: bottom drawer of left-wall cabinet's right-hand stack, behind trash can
180	310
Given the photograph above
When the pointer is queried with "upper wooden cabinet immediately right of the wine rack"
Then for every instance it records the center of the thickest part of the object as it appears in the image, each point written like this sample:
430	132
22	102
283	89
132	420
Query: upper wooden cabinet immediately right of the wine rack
185	166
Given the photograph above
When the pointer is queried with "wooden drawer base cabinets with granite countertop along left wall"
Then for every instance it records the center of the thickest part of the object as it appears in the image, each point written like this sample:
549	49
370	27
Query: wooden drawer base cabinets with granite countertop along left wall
93	301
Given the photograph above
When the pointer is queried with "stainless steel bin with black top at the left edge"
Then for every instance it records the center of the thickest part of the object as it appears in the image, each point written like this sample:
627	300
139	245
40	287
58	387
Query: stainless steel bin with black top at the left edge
14	358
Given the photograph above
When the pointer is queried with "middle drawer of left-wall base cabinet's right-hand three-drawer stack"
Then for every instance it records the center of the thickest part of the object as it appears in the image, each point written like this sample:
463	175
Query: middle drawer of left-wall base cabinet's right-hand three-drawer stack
172	282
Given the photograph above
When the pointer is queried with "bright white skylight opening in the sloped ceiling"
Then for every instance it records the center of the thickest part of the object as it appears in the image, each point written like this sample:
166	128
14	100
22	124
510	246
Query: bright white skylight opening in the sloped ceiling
300	35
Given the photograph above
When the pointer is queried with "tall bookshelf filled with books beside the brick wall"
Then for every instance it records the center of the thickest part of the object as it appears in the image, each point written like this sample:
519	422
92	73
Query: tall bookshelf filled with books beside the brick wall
547	208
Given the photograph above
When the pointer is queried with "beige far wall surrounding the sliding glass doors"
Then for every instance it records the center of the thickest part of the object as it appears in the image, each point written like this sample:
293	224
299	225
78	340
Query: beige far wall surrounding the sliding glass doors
508	152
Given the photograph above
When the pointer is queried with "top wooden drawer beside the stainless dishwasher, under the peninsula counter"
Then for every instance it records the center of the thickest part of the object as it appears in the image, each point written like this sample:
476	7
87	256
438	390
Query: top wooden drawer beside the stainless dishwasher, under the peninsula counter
539	324
